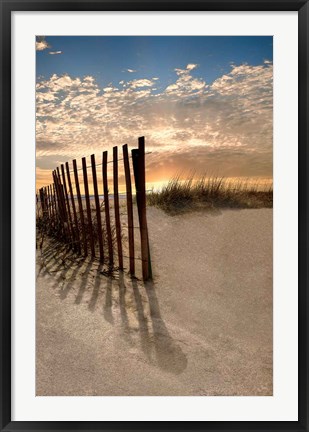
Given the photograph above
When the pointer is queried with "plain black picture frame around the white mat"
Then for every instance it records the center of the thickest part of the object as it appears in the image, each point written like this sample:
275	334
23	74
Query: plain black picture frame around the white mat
7	7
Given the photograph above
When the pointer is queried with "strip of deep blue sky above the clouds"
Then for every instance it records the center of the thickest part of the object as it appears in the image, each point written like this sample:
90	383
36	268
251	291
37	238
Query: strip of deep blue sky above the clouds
108	58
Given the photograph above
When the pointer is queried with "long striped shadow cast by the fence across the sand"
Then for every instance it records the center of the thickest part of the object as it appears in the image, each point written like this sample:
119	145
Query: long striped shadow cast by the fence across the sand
128	304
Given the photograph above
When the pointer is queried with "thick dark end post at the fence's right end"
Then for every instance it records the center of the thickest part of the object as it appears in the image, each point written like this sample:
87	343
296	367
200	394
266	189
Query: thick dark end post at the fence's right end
138	157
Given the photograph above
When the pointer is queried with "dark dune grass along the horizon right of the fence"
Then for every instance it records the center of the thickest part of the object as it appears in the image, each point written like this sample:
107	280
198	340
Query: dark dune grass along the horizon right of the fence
193	194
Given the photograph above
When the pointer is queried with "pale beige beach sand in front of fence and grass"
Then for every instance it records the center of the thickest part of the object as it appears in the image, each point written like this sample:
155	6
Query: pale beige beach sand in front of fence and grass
203	327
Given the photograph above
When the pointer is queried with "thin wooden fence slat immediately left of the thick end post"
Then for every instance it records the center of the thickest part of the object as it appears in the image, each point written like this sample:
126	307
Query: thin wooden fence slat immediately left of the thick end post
129	207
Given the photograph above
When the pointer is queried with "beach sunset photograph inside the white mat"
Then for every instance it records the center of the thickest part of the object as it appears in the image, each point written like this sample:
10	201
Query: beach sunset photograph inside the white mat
153	215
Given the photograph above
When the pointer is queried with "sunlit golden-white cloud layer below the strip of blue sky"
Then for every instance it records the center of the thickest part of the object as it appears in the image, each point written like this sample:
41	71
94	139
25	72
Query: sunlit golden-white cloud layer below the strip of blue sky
224	126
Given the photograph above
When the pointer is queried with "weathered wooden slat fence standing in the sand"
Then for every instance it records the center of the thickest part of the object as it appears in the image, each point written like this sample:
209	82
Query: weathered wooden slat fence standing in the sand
72	218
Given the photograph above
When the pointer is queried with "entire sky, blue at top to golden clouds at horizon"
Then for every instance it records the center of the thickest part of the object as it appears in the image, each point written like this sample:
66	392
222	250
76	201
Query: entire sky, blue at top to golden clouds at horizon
204	104
